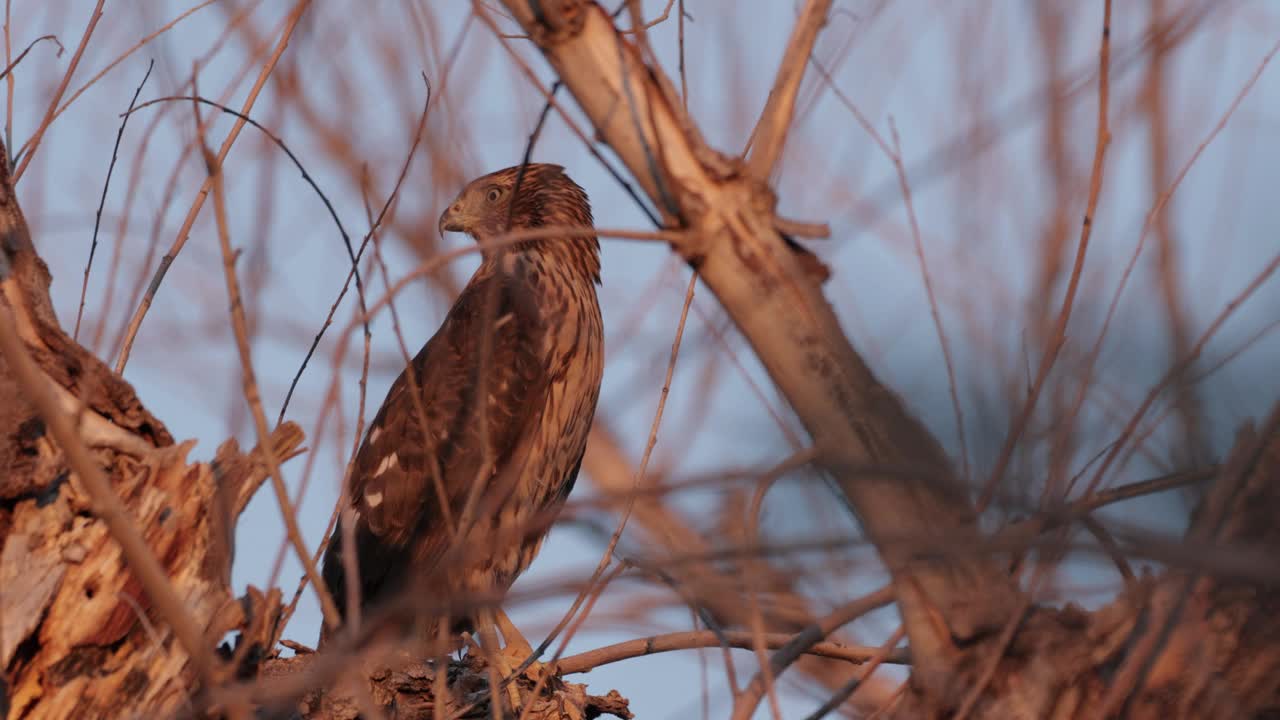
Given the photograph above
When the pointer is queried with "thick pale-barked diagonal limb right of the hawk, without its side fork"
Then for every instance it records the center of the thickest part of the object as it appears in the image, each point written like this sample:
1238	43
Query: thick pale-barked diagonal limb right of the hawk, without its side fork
856	422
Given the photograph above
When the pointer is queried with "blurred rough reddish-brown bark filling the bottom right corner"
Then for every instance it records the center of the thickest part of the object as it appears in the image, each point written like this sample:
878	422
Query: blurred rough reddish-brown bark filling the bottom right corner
1200	641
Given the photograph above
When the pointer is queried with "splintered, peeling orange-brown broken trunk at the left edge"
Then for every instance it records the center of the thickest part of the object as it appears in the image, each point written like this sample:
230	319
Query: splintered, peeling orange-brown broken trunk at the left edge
79	636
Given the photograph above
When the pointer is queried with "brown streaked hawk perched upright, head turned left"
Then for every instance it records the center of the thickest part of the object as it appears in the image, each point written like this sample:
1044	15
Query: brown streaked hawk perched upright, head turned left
481	440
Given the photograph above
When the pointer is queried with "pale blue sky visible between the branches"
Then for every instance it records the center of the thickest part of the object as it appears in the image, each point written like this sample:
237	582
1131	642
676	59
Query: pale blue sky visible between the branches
936	69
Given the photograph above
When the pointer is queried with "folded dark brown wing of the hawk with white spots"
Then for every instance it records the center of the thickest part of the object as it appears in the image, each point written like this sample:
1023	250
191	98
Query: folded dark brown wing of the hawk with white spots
406	471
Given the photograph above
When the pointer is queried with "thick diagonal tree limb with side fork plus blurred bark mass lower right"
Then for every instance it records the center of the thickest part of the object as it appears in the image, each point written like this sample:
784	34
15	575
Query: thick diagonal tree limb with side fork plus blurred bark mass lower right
1199	641
